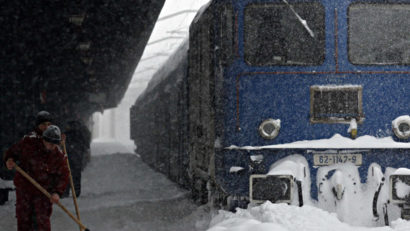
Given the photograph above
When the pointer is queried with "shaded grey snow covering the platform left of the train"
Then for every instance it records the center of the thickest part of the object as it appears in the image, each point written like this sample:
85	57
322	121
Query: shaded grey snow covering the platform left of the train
121	193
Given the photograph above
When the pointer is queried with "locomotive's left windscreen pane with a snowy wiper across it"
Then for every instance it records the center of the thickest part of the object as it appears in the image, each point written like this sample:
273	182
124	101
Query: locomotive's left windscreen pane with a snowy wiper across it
274	35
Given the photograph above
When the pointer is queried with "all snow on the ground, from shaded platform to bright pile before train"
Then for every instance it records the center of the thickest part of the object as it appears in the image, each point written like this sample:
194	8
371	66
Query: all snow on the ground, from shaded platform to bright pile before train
121	193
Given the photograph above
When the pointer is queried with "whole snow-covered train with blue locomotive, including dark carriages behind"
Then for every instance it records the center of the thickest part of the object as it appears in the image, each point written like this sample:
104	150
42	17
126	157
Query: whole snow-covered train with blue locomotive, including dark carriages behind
300	102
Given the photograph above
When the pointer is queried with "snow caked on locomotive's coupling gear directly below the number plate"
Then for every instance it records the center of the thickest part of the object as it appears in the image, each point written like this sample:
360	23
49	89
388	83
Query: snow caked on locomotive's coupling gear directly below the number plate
341	192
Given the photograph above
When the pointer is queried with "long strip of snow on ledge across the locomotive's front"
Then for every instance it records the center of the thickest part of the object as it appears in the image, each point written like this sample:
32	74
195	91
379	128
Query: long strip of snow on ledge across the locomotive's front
335	142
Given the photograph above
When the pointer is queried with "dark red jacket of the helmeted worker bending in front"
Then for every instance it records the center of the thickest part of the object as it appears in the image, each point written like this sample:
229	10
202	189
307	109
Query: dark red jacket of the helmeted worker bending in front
48	168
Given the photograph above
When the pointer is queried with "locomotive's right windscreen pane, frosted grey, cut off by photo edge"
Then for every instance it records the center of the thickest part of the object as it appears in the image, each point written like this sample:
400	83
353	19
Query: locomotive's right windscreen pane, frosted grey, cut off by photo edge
379	34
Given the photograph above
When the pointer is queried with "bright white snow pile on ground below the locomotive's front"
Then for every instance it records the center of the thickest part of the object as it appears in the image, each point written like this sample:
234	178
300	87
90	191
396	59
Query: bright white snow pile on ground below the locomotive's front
282	217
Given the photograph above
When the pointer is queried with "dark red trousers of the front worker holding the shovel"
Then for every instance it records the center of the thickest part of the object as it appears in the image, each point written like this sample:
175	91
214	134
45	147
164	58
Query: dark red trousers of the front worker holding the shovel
32	211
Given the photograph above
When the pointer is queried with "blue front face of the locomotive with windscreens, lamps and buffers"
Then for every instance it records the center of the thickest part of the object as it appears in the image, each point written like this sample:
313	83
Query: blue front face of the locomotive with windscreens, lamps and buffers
316	107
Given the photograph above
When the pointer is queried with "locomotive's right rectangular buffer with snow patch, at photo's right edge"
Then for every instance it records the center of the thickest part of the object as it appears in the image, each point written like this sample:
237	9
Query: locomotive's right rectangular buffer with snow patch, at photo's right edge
400	188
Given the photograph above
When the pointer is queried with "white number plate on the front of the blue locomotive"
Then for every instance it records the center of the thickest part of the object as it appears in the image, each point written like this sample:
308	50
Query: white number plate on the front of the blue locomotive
329	159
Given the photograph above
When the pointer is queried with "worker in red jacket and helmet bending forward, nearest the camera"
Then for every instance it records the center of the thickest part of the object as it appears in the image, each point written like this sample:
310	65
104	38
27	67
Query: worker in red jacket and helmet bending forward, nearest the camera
42	159
